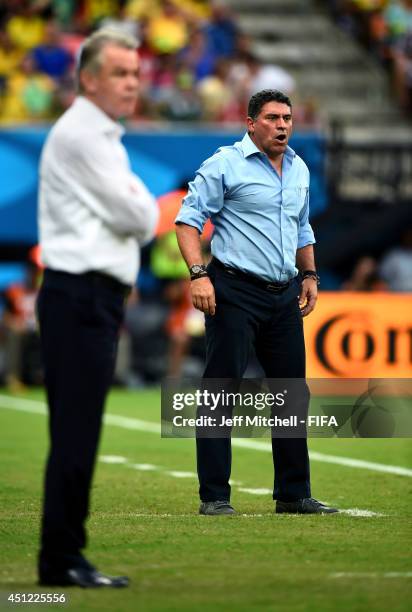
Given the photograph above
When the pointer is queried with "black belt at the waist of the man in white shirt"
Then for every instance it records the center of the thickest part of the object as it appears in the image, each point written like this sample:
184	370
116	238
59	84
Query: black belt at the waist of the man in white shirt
58	278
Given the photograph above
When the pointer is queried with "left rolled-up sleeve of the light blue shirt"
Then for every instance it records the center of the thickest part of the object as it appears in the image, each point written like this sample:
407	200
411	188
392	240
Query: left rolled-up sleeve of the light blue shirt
205	196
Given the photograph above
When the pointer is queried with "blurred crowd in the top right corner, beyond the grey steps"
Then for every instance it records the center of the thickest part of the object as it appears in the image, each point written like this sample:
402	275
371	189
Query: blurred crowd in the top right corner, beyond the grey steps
385	28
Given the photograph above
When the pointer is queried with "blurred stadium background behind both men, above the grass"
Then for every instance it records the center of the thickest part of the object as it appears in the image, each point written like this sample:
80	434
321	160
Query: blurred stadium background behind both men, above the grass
346	64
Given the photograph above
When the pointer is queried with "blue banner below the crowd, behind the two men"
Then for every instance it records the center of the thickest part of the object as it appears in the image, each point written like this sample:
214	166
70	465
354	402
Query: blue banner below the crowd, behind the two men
164	160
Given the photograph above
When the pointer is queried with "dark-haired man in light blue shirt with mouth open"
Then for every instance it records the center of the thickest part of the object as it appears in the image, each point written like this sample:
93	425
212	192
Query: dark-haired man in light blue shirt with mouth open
260	282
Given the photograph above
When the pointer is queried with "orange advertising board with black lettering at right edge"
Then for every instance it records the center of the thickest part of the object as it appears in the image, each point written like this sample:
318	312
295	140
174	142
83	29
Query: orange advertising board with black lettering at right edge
360	335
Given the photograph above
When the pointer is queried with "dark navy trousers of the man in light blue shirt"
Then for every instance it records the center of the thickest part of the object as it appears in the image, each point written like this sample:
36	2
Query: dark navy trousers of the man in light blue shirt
249	317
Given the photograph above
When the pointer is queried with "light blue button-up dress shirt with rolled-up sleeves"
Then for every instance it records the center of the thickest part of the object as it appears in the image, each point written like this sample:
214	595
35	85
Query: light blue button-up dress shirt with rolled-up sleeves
260	218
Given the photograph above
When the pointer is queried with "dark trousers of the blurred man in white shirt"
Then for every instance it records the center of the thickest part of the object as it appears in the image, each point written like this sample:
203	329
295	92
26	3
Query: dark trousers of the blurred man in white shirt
79	318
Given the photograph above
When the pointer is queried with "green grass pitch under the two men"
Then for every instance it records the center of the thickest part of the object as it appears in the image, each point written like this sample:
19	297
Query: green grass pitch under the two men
144	523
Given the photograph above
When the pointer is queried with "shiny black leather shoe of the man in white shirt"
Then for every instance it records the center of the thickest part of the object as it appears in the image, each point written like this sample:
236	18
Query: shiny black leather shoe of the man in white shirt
82	577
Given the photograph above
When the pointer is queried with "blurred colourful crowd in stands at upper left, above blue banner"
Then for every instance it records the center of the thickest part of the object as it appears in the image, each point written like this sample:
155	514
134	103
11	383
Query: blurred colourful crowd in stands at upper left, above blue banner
195	63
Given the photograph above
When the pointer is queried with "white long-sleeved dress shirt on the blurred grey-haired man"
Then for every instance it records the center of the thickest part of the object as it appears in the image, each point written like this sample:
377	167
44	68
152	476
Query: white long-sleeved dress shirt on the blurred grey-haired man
94	213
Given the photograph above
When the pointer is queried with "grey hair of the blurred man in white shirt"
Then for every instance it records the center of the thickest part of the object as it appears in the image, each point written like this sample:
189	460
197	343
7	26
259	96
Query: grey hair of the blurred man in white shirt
90	54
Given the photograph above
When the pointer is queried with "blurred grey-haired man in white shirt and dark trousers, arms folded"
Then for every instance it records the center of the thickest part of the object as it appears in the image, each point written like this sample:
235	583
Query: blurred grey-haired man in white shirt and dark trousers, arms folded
94	215
